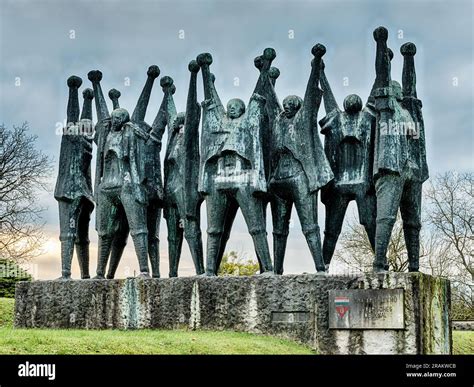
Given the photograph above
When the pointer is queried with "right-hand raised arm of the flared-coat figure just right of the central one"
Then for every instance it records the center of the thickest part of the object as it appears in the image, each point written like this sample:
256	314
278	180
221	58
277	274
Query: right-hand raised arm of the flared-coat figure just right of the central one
313	94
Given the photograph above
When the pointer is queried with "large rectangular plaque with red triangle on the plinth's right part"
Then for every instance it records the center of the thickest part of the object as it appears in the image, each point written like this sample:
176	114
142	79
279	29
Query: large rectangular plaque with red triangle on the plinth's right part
366	309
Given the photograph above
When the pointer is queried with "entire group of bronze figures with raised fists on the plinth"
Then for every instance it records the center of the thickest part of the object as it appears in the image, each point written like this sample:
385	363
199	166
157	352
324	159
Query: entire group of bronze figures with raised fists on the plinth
246	157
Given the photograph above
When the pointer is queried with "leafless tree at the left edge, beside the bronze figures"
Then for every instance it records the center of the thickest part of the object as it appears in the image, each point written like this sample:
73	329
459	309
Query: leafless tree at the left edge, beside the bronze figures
23	171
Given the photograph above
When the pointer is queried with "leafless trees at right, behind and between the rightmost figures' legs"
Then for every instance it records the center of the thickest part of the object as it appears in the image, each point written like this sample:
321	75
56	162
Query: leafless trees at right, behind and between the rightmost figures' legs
446	239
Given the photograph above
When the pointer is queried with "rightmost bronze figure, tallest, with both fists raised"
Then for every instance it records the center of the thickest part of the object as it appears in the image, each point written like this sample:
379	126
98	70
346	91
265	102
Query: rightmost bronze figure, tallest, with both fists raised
400	156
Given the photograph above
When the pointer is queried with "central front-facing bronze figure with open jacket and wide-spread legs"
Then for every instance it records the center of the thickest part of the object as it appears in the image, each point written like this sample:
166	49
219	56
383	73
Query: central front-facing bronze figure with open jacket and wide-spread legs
232	172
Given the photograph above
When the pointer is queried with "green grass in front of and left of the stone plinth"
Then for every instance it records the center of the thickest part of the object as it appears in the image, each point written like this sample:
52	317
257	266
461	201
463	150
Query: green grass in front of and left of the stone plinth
64	341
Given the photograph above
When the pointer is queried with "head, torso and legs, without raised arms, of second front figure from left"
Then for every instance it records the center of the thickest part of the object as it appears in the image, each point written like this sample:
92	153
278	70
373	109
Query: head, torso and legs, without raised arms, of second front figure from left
121	190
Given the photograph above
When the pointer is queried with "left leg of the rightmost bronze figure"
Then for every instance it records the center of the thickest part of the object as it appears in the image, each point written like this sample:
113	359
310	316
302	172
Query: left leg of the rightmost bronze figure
389	190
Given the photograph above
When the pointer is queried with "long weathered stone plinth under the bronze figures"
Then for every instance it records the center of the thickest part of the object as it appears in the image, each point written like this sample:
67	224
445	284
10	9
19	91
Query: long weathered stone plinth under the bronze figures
413	320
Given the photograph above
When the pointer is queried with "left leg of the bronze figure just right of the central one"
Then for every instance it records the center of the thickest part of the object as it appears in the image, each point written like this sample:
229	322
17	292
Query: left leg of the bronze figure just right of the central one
281	213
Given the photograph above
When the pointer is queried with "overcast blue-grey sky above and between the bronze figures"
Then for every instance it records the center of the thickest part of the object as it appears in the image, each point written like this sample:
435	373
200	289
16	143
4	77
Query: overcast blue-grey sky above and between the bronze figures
43	42
